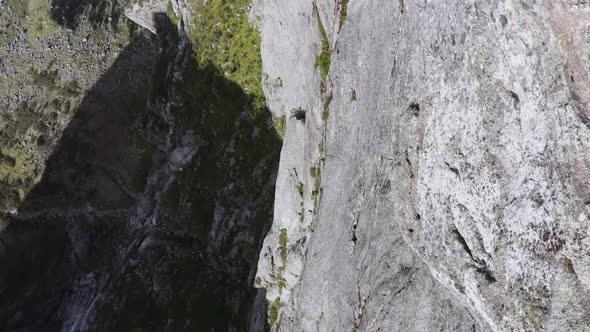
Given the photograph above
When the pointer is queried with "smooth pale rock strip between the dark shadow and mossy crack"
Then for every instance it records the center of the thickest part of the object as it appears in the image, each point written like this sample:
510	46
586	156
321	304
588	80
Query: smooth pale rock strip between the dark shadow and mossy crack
290	80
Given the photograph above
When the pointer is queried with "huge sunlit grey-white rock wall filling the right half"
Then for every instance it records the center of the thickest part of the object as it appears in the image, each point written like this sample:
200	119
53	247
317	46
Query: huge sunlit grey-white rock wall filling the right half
450	142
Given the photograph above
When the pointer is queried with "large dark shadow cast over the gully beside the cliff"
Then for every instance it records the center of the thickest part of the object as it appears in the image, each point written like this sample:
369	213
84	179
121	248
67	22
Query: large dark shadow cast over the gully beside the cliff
106	241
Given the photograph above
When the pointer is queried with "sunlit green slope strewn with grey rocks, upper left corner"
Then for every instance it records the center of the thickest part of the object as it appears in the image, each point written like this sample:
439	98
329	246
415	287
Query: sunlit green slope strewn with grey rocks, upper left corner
29	129
